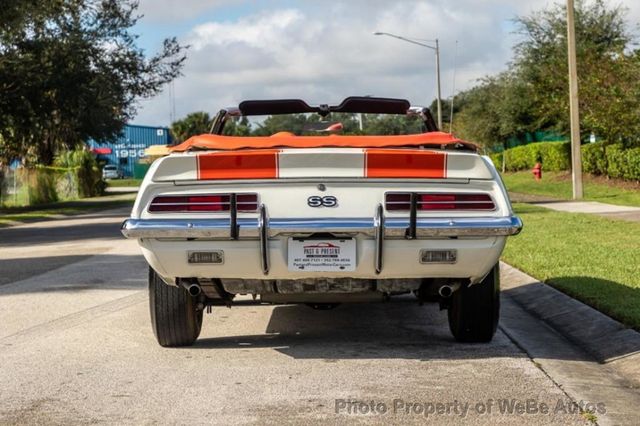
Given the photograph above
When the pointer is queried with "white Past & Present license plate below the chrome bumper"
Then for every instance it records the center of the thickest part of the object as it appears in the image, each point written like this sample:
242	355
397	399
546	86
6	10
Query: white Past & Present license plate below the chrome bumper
322	255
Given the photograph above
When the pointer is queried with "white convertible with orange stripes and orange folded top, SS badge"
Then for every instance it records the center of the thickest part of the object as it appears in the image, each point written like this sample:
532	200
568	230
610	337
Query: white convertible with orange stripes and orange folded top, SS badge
327	210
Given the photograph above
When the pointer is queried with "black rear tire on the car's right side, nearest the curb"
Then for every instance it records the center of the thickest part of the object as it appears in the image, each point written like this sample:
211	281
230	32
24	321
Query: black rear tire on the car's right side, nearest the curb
475	310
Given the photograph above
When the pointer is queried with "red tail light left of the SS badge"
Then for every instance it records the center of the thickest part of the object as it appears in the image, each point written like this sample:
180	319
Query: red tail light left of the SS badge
204	203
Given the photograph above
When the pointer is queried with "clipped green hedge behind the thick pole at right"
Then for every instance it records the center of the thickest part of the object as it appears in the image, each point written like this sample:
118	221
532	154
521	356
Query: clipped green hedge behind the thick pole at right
597	158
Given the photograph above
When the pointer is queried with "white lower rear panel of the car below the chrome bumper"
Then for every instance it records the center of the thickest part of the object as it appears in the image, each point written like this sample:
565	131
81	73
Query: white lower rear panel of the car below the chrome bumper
242	259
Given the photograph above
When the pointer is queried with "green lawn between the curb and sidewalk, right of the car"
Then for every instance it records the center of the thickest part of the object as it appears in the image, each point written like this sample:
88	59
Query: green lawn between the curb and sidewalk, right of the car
594	259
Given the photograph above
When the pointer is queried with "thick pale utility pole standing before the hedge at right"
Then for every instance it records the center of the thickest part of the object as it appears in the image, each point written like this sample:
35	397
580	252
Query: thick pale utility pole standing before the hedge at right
576	155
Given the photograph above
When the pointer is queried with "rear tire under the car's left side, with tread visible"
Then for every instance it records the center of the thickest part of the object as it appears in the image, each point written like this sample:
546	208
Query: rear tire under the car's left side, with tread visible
174	317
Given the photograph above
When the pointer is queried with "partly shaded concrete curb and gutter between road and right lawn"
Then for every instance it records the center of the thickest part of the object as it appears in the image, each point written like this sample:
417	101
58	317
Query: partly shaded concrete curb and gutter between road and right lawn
557	333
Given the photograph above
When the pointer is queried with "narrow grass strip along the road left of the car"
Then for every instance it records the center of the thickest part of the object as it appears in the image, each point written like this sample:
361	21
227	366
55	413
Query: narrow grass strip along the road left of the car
9	216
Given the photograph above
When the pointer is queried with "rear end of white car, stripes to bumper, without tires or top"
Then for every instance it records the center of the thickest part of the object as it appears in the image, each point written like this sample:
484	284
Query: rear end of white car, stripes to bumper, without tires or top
250	217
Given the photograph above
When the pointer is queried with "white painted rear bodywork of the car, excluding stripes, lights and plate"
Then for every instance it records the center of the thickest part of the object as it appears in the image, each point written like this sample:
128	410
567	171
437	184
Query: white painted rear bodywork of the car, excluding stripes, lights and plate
302	173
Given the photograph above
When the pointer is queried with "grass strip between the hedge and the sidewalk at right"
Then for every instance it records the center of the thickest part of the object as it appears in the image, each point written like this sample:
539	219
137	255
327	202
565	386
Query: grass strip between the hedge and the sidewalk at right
558	185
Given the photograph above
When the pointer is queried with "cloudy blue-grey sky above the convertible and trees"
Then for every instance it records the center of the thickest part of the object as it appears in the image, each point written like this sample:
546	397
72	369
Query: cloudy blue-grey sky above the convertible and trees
324	51
